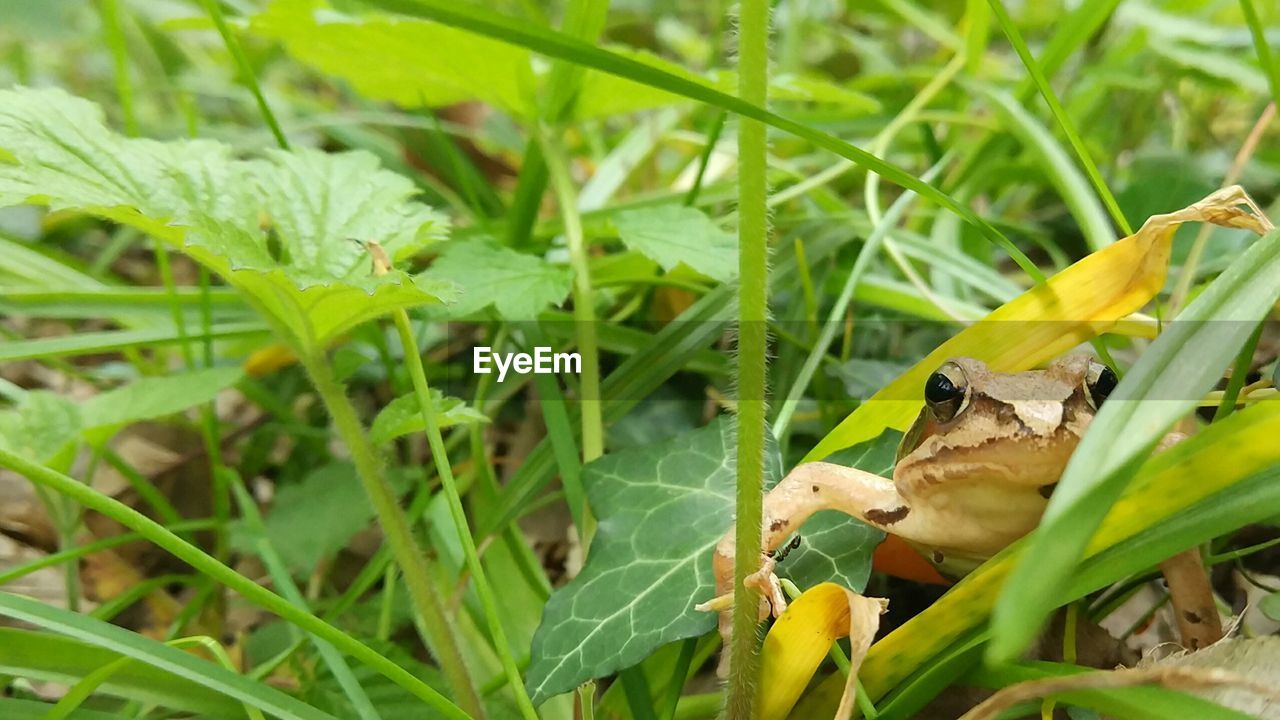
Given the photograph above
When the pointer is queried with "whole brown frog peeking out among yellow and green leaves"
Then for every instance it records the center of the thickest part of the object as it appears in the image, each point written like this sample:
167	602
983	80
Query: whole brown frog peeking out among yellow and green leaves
973	475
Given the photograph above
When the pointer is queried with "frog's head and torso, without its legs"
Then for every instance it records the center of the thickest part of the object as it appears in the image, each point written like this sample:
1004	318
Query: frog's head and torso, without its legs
985	475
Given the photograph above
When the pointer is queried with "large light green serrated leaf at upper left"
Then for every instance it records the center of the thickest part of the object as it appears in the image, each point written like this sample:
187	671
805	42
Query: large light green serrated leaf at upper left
304	274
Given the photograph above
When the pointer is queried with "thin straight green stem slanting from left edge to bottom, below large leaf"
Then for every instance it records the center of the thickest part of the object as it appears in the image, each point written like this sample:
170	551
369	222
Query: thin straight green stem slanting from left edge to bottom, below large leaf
208	566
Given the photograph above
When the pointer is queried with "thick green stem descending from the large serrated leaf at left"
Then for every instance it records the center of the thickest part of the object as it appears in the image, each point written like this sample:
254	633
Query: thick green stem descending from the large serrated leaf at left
400	537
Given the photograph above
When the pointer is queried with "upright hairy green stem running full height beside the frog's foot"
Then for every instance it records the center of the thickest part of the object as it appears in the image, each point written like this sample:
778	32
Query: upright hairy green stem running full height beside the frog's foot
752	348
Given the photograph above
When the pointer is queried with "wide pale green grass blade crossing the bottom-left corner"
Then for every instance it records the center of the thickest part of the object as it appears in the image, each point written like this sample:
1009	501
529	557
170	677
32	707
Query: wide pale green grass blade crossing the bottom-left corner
158	655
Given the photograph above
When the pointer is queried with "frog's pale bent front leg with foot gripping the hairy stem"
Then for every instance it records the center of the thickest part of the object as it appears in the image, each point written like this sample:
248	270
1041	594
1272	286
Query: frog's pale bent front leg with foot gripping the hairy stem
807	490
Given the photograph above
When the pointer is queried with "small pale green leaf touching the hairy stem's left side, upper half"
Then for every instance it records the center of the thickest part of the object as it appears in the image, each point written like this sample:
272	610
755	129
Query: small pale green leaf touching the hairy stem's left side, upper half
675	235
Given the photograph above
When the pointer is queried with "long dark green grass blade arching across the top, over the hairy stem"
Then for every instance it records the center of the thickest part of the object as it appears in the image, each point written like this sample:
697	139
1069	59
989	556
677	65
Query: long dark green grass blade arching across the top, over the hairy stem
563	47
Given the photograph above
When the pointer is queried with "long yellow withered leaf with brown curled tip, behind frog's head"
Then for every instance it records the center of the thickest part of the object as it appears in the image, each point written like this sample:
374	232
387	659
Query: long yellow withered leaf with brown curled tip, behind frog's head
1073	307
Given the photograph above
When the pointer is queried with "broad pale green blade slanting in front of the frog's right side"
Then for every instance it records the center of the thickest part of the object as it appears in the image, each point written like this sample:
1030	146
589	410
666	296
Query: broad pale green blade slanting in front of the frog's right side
1185	363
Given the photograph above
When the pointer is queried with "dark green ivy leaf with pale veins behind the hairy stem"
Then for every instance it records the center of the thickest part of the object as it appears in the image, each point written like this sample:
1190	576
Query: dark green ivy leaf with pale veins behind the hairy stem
642	581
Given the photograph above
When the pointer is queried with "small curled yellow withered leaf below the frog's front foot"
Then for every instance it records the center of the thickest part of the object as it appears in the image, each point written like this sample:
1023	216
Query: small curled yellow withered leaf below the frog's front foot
803	636
